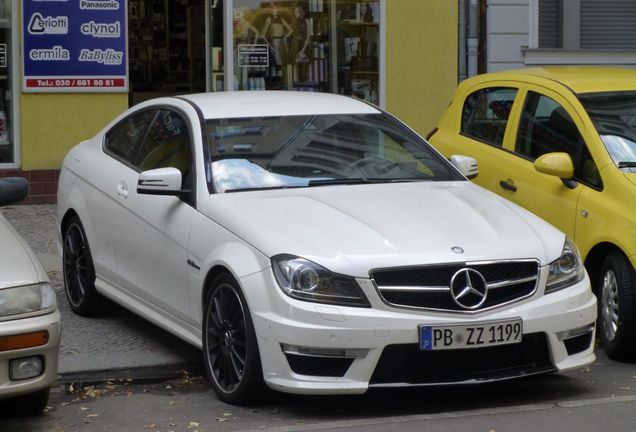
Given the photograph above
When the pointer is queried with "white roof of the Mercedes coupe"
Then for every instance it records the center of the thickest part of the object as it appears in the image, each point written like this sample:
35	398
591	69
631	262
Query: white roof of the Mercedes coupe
241	104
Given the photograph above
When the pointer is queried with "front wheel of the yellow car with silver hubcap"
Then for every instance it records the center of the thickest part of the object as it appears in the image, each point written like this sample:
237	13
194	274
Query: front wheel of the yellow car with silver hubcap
616	294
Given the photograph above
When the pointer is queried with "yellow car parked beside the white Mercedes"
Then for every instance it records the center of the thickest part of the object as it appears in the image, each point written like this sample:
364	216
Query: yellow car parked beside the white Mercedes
561	142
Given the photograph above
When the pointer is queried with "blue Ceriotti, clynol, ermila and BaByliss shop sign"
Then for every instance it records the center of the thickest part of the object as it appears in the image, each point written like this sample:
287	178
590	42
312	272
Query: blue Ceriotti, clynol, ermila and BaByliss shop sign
75	45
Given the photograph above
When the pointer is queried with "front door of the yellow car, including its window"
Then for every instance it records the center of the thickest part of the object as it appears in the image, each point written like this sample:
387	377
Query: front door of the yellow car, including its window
546	123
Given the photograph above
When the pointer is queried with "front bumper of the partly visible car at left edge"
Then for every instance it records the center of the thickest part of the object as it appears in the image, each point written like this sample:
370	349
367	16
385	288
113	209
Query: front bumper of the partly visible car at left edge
48	353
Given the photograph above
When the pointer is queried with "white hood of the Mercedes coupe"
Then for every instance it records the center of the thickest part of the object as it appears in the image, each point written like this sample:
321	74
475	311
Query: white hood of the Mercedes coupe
352	229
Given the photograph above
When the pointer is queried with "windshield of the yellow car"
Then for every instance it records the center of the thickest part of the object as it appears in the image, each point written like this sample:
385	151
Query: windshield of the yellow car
614	116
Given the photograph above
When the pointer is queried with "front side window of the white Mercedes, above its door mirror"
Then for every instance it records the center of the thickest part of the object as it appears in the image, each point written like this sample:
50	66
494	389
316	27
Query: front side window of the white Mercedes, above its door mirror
167	144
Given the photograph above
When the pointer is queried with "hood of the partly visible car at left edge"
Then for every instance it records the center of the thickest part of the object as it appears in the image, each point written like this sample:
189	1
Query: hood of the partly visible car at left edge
18	263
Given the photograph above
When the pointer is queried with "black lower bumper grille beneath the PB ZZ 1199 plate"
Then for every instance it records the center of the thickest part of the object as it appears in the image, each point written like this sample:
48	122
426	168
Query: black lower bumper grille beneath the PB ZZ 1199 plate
406	364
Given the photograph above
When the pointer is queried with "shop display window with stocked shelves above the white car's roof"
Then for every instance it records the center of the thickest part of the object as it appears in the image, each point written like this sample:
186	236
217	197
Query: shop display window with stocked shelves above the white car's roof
311	45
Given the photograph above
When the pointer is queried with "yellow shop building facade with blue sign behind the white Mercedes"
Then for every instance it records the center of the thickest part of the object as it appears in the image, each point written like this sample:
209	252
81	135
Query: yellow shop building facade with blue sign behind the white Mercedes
64	73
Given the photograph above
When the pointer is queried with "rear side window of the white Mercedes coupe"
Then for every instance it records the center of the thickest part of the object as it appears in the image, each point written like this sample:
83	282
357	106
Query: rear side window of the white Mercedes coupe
122	140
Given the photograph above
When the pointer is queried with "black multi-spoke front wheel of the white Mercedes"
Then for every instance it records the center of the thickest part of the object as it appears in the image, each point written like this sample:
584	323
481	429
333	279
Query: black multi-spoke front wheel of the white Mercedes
230	351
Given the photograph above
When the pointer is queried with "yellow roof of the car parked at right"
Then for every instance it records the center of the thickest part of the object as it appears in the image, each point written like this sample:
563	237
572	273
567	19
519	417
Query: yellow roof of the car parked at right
581	79
